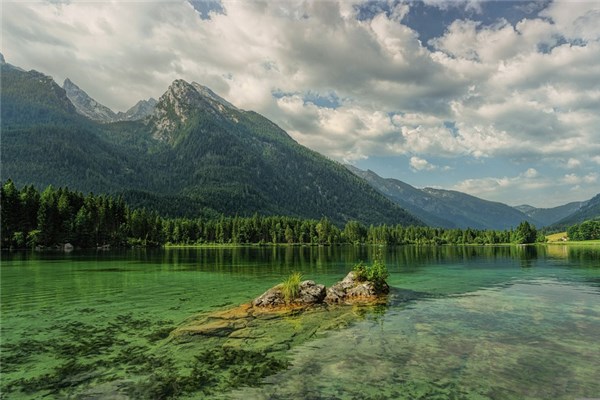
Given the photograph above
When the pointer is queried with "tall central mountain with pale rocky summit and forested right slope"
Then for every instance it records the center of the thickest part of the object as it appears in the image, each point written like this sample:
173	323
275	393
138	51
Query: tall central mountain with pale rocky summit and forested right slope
238	161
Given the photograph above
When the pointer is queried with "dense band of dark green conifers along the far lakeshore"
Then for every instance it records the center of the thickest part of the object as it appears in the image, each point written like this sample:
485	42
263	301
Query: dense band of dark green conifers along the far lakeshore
58	216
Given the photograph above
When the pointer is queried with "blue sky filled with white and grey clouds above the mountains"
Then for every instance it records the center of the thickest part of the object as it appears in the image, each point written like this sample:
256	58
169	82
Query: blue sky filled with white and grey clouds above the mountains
498	99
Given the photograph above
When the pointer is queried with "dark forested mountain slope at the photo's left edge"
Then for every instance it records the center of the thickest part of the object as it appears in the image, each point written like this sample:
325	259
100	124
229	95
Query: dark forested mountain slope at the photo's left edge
46	141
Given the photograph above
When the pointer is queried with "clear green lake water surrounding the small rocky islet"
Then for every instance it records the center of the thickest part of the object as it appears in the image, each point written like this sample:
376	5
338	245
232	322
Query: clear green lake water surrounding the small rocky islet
460	323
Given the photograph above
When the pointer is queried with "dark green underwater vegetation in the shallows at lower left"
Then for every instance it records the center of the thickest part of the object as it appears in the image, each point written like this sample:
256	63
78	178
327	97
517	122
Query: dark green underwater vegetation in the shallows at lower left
137	365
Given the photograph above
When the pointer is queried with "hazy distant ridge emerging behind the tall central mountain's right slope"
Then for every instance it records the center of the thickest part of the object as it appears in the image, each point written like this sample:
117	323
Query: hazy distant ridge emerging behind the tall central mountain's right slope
446	208
